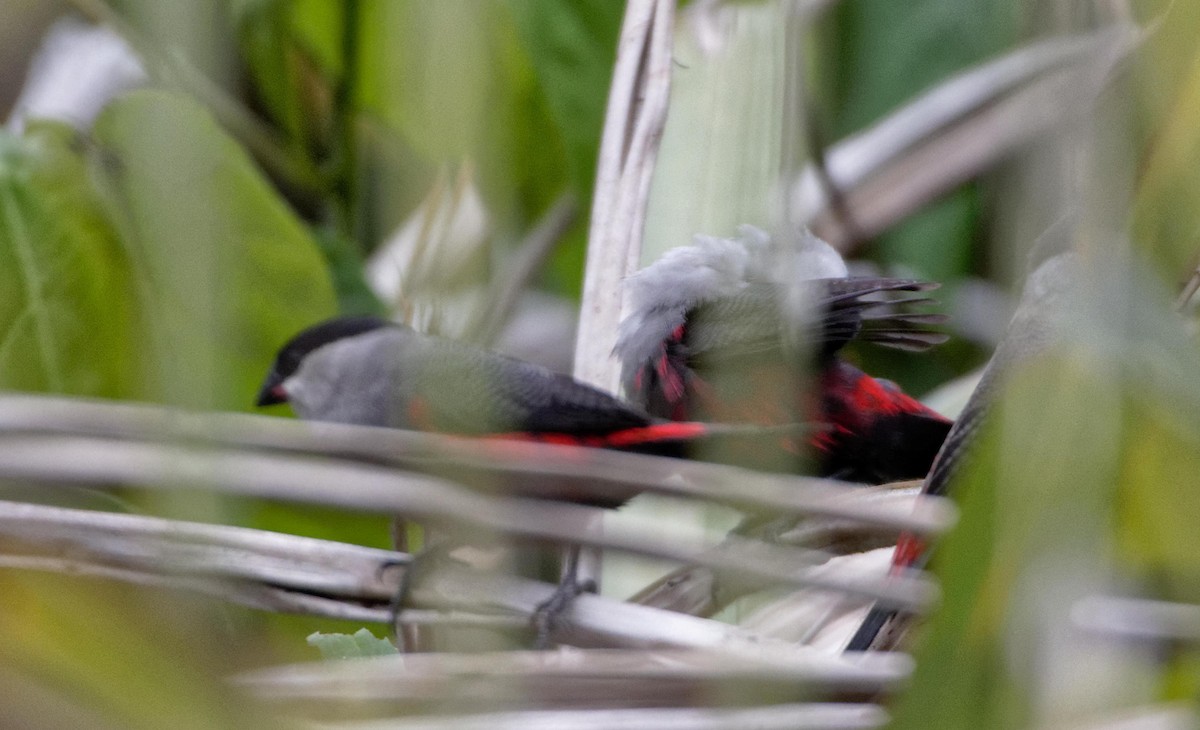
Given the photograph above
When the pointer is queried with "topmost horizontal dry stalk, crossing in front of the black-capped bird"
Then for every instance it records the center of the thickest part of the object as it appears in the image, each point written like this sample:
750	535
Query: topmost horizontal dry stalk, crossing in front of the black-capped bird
527	469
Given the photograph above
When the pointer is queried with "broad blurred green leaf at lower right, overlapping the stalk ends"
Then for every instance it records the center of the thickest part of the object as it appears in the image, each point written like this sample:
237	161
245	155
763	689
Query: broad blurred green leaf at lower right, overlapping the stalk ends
1034	540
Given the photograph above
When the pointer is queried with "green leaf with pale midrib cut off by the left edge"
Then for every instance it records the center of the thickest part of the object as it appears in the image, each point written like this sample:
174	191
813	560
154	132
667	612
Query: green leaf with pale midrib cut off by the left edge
65	291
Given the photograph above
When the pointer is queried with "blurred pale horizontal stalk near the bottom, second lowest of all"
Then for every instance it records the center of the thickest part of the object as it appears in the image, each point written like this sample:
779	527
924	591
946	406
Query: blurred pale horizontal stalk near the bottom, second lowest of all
581	679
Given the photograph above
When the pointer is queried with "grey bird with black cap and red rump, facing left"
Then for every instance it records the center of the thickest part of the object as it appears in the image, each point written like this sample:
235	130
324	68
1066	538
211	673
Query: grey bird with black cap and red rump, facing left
375	373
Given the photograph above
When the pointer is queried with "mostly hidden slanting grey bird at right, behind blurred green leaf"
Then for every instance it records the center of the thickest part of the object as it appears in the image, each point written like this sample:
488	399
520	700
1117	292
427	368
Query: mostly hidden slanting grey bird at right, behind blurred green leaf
1031	331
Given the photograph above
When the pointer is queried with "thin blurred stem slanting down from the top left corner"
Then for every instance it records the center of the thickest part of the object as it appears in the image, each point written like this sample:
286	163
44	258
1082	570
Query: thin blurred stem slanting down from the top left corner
296	173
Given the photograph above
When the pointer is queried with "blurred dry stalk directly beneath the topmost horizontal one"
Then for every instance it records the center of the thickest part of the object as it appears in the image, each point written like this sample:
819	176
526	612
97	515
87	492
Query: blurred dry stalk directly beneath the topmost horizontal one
103	463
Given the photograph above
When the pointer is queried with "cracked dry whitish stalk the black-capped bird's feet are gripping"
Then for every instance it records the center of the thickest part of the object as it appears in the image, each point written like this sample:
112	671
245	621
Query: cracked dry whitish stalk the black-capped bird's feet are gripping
286	573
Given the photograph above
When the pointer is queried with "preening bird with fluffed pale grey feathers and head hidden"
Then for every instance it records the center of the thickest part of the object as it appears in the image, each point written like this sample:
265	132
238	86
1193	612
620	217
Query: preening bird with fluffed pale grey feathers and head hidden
727	331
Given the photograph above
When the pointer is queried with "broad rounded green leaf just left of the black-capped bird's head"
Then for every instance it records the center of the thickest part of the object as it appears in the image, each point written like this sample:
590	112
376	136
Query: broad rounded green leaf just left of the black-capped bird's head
225	272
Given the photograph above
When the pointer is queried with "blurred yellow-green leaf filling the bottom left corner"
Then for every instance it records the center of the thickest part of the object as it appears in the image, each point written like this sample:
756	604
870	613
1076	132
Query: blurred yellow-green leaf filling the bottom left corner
129	657
